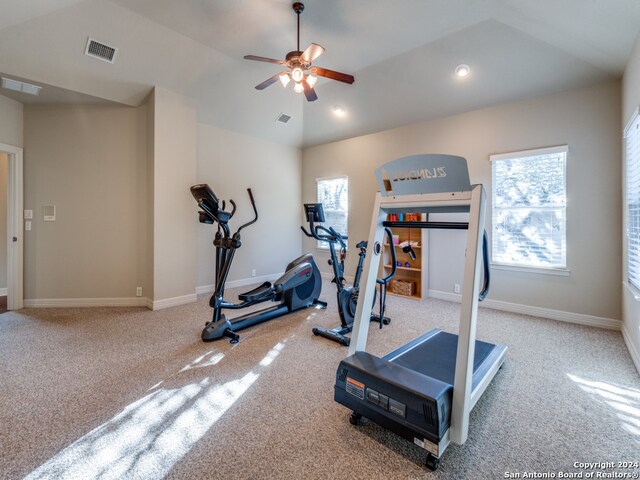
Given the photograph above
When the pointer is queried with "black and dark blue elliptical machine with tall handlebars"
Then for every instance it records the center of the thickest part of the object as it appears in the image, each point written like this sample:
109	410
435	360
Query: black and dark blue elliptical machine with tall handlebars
299	287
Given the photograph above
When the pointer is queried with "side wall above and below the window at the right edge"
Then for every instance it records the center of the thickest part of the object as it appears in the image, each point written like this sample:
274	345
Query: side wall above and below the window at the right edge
631	305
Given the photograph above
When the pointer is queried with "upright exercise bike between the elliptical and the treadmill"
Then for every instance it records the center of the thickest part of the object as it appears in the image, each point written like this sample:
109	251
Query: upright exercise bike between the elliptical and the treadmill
347	296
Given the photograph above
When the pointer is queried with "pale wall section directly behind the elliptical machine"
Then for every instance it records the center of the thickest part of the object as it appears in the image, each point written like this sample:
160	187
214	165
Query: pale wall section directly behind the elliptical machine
230	163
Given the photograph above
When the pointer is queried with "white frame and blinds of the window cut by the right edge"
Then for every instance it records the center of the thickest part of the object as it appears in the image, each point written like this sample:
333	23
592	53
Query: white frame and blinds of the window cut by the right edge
631	137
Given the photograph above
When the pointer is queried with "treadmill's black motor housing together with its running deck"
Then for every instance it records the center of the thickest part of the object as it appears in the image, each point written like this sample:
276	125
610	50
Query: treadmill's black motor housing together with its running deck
410	390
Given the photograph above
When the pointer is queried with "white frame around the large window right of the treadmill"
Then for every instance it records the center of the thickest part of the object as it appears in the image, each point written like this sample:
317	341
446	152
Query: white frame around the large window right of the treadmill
553	270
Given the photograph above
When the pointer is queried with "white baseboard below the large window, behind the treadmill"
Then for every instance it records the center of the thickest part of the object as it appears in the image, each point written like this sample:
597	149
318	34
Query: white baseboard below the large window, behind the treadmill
560	315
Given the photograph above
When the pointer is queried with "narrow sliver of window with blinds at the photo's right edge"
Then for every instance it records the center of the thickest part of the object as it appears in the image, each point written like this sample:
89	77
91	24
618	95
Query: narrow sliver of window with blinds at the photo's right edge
632	198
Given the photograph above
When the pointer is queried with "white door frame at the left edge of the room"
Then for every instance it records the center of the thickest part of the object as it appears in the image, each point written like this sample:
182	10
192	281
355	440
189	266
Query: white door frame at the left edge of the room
15	227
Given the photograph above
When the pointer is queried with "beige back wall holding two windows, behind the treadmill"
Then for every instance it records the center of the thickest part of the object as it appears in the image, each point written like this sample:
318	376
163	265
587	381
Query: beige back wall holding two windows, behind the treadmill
587	119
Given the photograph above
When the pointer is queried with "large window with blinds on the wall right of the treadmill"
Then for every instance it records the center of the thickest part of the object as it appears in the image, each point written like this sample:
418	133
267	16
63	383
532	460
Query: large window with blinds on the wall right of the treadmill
529	208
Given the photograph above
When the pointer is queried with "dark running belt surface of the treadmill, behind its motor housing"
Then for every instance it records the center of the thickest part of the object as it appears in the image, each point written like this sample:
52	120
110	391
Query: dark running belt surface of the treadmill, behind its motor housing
436	357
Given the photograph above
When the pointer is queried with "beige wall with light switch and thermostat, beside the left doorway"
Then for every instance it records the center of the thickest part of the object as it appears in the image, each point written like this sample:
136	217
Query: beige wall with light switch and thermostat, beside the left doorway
89	162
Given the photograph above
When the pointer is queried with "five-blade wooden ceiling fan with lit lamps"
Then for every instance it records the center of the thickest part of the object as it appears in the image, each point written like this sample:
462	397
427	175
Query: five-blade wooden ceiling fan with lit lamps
299	67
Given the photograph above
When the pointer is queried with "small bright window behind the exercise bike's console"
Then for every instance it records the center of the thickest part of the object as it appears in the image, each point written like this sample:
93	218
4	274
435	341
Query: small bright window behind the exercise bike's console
333	193
